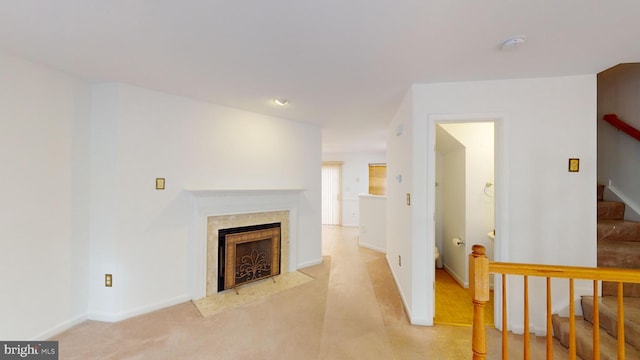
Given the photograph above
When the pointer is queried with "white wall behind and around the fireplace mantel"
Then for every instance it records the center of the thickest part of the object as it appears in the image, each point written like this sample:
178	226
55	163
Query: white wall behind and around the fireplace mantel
141	234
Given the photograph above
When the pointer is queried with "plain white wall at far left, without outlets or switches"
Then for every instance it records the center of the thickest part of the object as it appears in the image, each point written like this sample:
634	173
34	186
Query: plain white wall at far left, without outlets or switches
44	126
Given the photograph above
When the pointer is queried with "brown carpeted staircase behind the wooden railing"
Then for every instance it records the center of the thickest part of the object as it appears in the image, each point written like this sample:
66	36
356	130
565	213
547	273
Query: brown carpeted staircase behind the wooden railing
618	246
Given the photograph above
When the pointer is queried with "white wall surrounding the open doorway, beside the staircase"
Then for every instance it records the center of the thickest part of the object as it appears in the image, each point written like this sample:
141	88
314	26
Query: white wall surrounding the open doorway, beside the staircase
542	208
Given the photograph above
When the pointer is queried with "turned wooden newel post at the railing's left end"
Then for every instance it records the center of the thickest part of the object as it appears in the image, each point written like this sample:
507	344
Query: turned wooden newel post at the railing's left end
479	286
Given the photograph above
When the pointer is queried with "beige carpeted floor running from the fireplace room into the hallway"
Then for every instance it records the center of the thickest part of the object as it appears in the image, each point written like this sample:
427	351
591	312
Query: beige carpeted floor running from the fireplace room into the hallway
351	310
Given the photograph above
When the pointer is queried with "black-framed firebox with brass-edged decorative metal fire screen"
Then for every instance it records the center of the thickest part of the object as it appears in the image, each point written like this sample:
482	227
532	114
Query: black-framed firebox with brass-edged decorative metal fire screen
247	254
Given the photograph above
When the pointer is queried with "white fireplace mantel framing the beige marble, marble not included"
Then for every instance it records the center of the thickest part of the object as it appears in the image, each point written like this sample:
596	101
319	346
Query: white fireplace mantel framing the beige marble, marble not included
236	201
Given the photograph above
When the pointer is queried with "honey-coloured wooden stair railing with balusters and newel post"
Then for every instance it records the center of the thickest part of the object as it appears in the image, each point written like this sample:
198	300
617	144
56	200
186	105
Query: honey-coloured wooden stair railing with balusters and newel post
479	269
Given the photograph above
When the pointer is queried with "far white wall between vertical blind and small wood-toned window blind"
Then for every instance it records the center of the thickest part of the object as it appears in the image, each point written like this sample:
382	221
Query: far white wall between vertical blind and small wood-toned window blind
355	180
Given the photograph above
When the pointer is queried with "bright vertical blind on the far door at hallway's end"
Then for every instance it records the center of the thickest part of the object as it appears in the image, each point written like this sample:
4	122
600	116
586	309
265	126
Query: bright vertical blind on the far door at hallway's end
331	193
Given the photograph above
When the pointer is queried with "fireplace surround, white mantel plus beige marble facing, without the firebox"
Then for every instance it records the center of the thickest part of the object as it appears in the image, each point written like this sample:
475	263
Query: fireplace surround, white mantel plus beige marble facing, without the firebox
218	209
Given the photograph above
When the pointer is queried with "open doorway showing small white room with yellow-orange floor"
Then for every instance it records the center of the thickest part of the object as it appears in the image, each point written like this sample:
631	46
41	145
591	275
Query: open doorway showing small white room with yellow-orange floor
464	212
